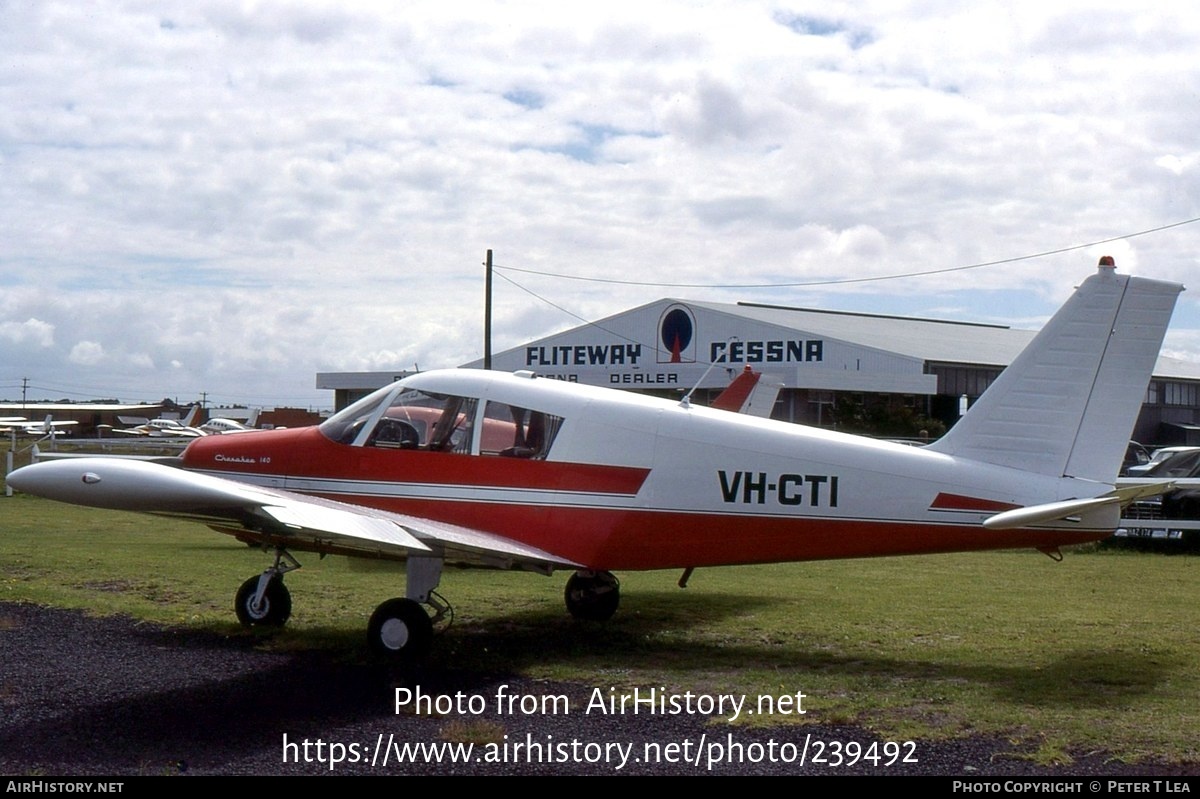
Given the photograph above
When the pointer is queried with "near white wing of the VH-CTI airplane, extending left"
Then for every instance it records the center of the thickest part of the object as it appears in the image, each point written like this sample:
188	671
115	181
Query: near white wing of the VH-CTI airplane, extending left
271	516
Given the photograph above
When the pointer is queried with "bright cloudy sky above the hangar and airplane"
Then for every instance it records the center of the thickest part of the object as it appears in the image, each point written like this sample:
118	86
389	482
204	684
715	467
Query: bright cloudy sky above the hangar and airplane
230	197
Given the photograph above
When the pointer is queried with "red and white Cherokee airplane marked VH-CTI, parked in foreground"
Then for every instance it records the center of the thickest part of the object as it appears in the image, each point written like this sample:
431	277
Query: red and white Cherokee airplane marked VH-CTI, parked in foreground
519	472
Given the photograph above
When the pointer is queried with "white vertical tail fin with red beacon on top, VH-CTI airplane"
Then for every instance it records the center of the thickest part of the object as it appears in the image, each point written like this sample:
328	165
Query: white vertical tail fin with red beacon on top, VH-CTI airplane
1067	405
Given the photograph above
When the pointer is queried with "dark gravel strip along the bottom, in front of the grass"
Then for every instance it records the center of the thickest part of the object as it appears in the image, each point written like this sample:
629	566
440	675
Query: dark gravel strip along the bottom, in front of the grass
83	696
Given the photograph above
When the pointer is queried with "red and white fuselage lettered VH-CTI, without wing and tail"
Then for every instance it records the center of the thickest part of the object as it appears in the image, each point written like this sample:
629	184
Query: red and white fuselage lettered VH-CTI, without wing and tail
637	483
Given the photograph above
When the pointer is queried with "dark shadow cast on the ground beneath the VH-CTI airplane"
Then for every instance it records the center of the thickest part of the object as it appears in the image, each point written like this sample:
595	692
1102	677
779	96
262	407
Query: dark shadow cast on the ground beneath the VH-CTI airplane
681	640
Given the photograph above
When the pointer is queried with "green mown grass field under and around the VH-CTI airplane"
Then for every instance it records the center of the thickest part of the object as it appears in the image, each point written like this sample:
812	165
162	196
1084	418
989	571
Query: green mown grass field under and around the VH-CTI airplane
1099	652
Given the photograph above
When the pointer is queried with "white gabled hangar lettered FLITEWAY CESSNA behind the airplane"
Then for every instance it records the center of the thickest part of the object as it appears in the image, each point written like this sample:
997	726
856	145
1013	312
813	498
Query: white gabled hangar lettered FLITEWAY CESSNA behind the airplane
820	359
